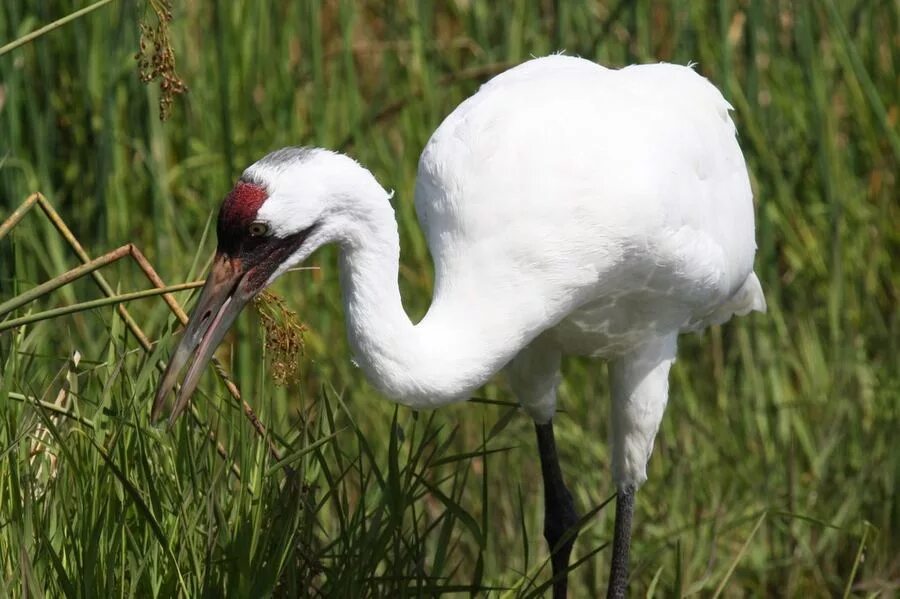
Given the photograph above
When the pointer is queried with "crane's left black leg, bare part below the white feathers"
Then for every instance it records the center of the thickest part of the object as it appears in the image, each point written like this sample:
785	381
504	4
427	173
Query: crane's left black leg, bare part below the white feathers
559	510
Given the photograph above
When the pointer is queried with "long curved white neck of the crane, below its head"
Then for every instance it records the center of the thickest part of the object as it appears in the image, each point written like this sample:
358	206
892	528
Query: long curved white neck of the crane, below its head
444	358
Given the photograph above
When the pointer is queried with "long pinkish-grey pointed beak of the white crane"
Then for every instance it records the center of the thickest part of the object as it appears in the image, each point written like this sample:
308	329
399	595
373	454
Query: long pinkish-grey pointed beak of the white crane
220	302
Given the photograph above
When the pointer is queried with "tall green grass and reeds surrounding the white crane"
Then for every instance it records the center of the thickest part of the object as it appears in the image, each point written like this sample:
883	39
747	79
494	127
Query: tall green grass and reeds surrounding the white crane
776	468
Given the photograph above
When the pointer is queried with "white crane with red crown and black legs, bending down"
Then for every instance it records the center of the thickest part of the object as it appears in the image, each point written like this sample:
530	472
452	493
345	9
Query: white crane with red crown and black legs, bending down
568	208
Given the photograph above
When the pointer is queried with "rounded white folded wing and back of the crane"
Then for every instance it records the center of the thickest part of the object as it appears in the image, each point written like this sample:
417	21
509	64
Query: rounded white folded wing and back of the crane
563	182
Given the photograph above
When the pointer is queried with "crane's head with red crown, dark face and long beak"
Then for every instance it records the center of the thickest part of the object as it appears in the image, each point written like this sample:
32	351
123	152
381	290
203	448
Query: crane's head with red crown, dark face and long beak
283	208
